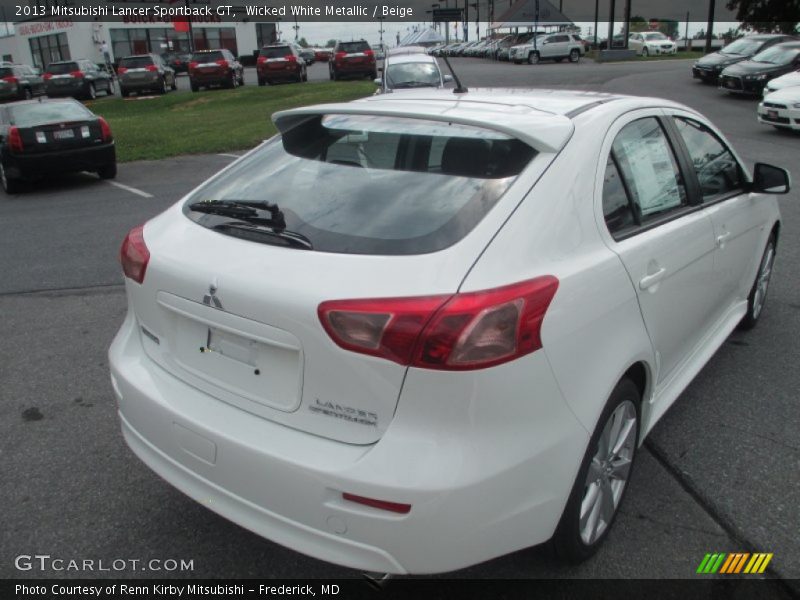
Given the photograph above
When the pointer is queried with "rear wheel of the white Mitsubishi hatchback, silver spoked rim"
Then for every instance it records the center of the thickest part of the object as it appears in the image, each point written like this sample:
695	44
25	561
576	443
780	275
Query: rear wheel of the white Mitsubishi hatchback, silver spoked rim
569	542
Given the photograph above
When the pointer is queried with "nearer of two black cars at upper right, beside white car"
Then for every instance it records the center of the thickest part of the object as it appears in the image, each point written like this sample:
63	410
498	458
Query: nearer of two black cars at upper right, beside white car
751	76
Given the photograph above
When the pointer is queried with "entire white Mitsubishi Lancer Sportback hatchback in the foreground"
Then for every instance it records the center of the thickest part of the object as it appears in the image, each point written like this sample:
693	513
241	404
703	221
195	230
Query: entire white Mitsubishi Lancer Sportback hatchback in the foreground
404	336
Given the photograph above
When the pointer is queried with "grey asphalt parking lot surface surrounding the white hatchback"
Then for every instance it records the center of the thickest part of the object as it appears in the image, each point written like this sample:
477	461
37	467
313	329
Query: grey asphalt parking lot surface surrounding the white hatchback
720	473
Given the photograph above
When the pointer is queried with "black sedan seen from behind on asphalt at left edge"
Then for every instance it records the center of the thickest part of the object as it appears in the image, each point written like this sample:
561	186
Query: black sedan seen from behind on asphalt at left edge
43	137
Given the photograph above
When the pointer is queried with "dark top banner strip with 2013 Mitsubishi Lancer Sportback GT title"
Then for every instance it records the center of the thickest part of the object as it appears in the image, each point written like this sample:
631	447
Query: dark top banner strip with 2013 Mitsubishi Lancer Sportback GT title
521	11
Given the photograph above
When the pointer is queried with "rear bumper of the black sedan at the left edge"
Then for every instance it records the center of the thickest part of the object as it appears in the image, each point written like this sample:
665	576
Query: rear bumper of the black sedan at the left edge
64	161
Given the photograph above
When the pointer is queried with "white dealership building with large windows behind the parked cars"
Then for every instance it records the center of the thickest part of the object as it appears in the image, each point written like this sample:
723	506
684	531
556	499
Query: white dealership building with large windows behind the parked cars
40	42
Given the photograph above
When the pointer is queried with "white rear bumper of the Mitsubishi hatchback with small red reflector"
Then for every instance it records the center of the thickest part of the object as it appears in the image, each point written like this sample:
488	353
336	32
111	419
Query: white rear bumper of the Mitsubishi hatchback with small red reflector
485	474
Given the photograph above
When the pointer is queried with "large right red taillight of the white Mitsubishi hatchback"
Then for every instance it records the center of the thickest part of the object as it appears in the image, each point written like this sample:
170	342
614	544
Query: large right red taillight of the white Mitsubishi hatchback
465	331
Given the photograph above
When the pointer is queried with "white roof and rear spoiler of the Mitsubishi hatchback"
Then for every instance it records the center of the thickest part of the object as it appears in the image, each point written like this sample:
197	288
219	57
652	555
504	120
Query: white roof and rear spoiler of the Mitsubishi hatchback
544	119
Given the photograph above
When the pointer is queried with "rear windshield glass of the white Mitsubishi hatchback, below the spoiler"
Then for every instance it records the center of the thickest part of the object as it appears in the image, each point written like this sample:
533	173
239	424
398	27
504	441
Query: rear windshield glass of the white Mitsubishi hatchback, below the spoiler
374	185
